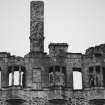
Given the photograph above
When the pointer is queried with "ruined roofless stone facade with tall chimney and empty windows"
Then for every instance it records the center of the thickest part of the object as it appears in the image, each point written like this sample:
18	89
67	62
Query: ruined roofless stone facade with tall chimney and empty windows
47	79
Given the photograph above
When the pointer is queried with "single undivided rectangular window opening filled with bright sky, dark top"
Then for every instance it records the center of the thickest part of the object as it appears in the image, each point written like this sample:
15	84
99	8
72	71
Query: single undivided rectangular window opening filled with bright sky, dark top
77	79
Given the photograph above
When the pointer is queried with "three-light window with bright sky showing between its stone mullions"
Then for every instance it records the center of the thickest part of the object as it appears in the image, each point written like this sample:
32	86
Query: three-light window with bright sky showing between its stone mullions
16	76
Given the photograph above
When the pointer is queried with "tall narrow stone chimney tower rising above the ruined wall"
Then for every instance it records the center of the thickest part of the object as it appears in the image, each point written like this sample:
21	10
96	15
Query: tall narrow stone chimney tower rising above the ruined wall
37	26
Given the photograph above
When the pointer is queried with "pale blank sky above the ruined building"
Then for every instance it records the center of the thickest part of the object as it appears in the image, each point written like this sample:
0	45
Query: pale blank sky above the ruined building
80	23
